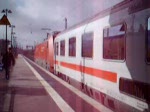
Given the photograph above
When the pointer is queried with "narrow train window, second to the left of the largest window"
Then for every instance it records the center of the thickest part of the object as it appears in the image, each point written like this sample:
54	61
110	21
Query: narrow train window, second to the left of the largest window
72	46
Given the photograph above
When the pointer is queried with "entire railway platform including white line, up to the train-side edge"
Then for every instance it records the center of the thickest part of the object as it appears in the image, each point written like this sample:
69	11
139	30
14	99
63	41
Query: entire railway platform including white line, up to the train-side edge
33	89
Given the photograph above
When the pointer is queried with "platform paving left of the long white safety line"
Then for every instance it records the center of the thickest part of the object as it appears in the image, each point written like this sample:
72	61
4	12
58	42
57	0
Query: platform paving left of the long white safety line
23	92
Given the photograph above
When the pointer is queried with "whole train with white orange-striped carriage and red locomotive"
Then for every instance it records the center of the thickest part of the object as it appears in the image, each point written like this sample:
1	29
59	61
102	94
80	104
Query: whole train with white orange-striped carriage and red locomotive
107	56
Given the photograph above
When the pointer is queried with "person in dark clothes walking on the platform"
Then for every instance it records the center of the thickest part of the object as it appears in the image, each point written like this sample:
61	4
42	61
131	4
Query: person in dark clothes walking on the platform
8	60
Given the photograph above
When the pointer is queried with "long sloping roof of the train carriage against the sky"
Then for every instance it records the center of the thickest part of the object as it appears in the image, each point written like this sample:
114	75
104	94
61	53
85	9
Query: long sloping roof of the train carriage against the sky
133	5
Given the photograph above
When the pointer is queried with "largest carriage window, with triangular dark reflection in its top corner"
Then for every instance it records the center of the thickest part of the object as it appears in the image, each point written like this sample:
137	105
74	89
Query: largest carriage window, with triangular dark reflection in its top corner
114	42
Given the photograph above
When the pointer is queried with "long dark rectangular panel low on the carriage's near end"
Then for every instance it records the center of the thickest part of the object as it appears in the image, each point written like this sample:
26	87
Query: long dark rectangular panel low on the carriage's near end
135	88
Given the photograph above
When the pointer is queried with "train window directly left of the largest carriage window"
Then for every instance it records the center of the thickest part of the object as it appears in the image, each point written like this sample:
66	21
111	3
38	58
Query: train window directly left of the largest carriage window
87	45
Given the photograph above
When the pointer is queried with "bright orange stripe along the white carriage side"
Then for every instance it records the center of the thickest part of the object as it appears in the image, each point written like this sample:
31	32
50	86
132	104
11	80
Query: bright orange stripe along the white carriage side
110	76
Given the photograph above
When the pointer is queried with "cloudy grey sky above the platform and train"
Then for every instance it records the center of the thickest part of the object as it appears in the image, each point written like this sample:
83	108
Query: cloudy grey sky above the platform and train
30	16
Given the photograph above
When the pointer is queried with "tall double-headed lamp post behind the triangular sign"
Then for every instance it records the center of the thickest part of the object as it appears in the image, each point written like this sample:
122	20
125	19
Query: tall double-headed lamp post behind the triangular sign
7	71
